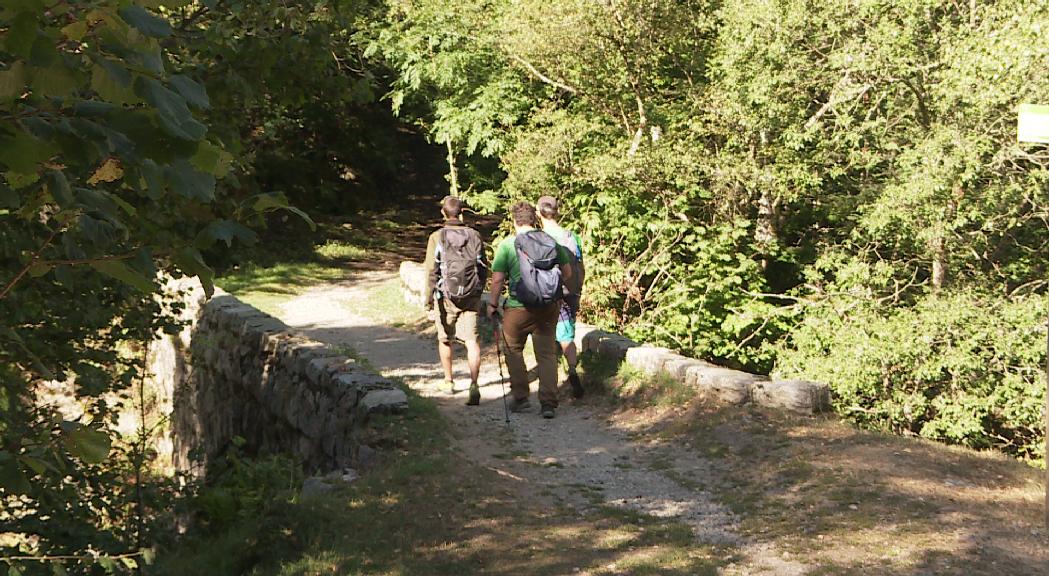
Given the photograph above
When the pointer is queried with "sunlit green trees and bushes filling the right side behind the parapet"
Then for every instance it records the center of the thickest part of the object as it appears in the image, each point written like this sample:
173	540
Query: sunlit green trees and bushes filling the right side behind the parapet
723	161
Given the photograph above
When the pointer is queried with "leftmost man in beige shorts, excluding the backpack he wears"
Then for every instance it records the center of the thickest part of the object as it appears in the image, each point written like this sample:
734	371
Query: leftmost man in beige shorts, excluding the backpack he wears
456	321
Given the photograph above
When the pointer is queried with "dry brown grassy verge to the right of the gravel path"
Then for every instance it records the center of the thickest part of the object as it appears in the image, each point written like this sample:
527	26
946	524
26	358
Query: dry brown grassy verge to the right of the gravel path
886	505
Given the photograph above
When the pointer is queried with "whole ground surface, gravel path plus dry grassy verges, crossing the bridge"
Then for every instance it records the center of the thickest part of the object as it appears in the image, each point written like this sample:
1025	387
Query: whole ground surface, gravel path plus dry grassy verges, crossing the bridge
643	478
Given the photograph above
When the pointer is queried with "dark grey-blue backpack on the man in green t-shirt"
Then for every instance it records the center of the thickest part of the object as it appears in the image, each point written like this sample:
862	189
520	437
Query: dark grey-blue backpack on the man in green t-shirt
541	284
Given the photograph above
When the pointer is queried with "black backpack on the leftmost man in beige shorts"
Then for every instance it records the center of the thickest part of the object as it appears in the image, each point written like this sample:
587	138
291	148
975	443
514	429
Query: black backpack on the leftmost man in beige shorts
463	274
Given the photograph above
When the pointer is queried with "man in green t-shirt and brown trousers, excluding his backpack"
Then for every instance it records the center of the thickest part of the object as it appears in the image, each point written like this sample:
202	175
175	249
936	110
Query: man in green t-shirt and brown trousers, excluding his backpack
520	322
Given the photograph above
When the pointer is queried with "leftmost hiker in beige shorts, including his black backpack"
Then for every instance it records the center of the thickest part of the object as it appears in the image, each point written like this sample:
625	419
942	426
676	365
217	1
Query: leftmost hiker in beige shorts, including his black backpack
456	273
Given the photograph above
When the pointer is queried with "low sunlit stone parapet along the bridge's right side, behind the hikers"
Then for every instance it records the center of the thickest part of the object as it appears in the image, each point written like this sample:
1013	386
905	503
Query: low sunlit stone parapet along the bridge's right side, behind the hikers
723	385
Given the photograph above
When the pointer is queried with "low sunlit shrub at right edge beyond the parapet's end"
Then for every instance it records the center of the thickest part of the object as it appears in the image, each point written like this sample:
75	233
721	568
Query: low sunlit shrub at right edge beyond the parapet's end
961	368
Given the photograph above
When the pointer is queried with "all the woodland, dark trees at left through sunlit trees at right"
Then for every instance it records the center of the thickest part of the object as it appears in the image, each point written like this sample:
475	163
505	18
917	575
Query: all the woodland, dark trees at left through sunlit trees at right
827	190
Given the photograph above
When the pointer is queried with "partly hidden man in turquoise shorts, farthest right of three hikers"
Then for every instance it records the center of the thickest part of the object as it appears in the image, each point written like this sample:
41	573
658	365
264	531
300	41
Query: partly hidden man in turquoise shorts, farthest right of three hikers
549	210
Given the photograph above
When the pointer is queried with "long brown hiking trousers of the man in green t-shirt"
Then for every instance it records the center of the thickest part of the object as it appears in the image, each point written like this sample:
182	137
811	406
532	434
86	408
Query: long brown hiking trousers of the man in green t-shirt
518	325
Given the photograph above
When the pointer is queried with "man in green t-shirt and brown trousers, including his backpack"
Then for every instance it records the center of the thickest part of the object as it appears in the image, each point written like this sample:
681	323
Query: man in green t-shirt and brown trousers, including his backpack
536	266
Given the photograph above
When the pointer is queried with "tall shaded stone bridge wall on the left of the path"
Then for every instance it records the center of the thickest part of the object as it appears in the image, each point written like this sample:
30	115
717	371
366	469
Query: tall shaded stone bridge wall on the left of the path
238	372
